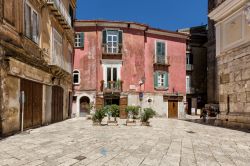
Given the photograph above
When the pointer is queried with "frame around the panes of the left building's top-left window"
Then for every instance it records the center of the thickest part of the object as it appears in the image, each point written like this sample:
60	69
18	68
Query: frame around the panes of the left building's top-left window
32	23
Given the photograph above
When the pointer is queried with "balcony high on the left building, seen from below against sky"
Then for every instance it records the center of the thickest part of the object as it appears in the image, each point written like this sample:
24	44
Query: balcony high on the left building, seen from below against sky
60	12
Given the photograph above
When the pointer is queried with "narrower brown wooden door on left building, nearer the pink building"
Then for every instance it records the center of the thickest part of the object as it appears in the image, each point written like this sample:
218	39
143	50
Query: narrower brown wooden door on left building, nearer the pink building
57	104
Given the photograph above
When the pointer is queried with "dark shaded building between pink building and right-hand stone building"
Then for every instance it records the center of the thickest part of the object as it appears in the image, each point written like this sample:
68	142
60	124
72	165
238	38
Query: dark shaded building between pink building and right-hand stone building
196	68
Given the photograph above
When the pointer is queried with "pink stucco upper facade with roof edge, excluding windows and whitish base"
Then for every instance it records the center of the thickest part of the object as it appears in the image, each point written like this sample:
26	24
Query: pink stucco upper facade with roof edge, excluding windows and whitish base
137	58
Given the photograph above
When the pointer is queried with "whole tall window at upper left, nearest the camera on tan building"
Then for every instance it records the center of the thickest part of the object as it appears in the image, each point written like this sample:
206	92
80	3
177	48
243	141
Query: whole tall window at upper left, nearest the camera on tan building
31	23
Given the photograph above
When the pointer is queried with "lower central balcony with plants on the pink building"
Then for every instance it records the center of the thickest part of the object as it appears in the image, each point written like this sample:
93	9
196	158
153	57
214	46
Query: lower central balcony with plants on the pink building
111	86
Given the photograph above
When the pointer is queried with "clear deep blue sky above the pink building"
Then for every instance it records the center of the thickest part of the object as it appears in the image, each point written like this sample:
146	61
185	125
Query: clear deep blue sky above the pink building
164	14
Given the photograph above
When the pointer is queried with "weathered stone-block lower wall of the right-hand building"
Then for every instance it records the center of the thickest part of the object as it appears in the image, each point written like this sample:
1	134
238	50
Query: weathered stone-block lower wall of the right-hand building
234	73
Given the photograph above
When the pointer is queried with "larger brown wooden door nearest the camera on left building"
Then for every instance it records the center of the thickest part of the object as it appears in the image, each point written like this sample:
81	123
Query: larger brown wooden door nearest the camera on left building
33	103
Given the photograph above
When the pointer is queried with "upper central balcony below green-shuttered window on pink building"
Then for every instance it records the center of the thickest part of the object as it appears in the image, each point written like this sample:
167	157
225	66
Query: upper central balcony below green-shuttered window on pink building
109	52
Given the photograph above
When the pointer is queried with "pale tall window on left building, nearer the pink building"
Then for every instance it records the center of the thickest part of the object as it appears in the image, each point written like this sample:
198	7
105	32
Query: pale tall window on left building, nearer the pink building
57	50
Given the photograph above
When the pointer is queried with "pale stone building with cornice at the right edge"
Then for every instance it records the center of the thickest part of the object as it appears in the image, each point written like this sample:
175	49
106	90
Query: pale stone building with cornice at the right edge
232	18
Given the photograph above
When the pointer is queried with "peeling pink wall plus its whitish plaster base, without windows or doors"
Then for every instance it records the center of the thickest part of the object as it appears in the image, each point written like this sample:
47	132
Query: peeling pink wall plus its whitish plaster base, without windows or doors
138	56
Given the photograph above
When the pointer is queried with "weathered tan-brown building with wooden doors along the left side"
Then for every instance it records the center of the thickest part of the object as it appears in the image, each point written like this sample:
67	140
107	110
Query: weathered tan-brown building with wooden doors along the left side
36	49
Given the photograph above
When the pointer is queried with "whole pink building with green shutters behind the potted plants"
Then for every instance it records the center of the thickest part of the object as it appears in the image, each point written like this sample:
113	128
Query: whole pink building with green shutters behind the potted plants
127	63
